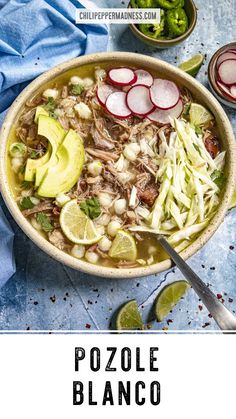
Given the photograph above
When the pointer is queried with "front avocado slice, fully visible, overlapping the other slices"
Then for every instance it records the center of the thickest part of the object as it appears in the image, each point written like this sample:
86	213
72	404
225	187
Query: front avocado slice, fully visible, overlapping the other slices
61	177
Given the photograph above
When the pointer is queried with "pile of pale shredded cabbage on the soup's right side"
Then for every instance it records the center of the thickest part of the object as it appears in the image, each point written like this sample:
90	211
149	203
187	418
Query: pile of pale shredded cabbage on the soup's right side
188	195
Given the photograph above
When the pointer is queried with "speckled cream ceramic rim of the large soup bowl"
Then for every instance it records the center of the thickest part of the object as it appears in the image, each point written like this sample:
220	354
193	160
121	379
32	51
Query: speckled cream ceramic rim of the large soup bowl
163	69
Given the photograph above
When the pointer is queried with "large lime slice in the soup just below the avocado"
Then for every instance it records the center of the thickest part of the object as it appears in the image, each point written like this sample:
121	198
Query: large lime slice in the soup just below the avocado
76	226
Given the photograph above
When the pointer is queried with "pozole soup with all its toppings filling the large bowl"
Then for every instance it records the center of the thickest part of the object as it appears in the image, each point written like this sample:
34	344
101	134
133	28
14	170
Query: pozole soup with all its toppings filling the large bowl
128	180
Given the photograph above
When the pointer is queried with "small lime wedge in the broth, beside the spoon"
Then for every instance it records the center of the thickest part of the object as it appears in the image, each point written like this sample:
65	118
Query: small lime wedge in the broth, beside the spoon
123	247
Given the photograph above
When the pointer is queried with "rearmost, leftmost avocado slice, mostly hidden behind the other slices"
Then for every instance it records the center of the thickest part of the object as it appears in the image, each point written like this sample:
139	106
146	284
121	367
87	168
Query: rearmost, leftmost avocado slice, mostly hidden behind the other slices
32	164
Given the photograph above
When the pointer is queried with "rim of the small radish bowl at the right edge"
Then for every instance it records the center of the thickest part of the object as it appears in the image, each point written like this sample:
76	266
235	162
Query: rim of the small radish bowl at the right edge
211	77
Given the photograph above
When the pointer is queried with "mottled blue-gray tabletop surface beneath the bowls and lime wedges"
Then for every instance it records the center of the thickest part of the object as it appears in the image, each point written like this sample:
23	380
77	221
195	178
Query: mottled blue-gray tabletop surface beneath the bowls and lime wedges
43	294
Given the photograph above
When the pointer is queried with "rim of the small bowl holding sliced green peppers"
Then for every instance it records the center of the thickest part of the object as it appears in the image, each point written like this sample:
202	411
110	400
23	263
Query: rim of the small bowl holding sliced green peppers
168	42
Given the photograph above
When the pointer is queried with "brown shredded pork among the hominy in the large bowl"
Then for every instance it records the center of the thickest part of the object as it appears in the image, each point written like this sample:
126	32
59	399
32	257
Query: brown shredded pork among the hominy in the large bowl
105	138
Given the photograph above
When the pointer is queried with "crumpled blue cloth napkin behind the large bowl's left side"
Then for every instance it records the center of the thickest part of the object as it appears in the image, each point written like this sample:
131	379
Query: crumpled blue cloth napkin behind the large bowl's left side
36	35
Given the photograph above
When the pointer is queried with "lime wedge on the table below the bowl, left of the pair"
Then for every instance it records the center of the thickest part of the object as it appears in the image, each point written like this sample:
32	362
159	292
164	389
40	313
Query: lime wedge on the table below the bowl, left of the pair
128	317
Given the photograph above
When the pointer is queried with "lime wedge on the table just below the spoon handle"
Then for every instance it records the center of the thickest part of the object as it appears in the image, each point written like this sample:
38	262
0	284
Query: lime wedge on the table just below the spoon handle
169	297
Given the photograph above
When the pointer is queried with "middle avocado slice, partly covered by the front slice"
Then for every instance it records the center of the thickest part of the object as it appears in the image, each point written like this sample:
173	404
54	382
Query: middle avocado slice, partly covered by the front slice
53	131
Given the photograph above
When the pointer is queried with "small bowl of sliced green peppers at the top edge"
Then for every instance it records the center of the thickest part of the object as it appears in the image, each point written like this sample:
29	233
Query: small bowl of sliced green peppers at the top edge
178	20
